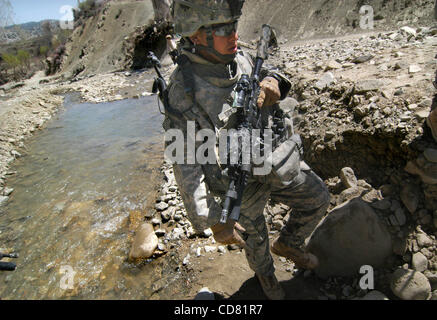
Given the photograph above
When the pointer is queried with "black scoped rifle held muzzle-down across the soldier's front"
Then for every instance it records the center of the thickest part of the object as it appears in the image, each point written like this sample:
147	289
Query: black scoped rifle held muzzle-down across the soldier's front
245	103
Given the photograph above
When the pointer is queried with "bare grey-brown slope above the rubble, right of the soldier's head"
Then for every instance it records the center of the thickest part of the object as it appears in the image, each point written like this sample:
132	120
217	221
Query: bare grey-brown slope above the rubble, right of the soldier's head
298	20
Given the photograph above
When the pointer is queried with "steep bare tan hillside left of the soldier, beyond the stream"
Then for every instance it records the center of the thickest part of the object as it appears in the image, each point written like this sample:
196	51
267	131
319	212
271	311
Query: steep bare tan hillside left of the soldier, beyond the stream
100	43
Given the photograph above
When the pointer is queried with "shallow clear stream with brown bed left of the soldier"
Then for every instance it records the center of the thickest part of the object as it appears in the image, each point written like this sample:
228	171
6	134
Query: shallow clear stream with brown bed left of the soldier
83	183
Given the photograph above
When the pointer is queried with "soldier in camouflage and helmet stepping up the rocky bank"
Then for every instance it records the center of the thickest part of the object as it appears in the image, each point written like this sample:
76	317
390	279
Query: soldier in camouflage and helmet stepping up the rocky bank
209	66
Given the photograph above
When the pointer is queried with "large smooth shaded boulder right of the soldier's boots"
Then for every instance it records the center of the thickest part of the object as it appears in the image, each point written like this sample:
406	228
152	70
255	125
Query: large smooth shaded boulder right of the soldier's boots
349	237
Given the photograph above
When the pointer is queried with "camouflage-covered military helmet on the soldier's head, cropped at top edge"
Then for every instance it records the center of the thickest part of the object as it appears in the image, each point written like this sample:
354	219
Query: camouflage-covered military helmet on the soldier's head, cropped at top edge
190	15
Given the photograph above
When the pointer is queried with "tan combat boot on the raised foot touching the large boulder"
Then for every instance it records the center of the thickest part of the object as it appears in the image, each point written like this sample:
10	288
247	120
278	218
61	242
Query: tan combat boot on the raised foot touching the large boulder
304	260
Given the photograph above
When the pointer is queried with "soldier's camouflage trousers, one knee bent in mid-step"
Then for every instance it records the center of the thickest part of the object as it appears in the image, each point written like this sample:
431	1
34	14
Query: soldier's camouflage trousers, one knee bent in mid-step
308	198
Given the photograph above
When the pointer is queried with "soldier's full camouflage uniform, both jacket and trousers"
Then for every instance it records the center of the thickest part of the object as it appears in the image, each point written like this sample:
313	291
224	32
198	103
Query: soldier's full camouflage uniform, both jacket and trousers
203	187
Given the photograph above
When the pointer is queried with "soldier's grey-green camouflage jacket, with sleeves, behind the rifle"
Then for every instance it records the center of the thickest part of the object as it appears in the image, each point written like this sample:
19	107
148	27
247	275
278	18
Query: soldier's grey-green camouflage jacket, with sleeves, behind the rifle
202	186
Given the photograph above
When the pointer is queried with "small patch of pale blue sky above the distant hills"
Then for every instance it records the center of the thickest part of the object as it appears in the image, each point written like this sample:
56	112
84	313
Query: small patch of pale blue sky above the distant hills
37	10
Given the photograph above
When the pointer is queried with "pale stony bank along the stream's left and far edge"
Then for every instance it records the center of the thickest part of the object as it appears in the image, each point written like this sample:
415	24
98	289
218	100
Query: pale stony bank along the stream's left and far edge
26	106
